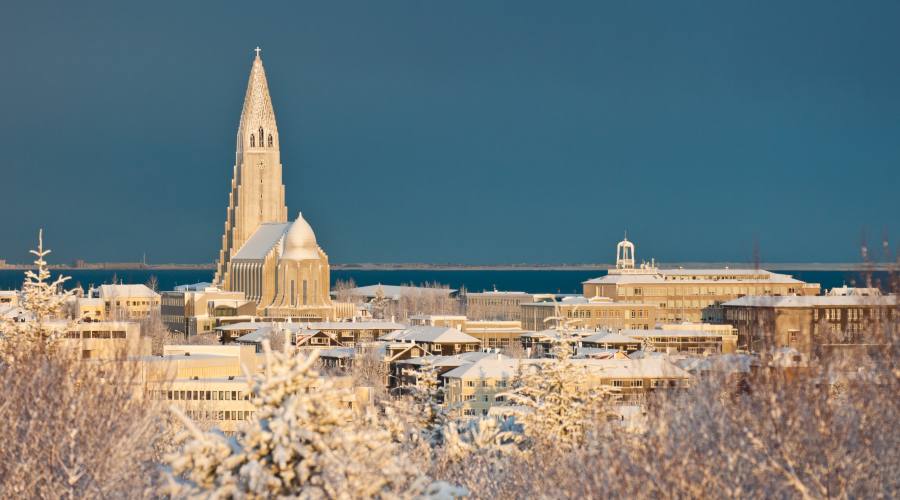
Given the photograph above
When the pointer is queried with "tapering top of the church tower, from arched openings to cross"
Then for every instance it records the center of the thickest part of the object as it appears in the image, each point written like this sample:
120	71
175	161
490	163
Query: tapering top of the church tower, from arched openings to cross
257	127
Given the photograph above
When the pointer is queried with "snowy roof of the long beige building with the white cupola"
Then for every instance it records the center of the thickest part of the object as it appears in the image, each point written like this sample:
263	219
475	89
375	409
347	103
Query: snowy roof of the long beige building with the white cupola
655	276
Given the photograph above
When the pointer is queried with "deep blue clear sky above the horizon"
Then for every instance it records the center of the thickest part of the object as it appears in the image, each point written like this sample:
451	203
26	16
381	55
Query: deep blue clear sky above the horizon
458	131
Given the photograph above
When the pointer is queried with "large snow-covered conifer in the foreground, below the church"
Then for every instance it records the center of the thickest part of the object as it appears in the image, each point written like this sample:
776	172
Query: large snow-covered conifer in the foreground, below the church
304	441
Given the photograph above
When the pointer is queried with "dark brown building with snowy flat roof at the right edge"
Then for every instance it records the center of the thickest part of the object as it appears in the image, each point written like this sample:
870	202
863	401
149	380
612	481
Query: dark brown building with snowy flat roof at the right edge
819	325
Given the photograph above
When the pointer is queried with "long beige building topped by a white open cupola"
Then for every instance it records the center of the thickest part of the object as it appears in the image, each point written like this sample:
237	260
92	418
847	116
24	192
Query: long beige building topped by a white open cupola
683	294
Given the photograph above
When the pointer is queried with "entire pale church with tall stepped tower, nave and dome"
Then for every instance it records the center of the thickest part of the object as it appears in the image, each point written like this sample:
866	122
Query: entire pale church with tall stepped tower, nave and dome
276	263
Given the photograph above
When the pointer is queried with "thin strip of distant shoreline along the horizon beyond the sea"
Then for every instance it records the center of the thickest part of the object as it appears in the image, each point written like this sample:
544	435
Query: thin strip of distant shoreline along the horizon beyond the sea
792	266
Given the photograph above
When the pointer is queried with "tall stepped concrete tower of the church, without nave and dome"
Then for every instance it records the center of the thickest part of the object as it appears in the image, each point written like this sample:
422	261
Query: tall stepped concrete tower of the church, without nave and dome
257	192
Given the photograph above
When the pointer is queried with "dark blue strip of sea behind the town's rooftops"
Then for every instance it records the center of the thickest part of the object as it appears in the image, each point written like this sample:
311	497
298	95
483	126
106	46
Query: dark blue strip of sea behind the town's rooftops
532	281
